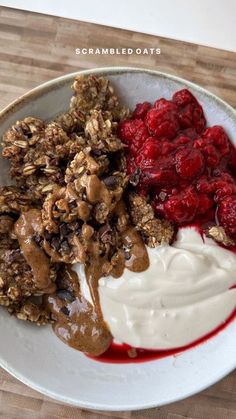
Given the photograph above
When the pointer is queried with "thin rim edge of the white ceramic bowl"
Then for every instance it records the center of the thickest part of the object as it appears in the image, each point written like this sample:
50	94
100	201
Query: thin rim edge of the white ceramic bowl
51	85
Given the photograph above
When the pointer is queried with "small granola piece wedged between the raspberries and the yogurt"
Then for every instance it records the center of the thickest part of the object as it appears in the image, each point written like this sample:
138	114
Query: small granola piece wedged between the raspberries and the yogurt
154	230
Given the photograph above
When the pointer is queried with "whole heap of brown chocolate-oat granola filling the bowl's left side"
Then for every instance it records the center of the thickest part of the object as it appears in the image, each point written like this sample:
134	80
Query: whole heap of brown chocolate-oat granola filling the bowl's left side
72	171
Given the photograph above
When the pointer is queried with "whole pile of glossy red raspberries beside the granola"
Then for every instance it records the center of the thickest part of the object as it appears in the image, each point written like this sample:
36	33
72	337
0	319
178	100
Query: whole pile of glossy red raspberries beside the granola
186	169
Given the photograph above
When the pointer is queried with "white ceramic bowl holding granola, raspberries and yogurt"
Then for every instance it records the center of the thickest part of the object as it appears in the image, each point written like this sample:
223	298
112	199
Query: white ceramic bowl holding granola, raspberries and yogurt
39	359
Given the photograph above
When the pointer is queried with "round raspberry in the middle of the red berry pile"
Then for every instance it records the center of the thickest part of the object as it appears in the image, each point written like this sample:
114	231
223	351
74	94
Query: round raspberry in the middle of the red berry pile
189	163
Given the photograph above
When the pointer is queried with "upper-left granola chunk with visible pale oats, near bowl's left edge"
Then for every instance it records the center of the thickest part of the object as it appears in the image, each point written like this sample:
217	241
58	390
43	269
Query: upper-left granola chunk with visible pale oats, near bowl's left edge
41	163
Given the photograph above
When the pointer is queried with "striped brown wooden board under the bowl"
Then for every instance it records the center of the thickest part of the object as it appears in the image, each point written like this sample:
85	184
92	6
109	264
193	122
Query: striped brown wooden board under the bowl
35	48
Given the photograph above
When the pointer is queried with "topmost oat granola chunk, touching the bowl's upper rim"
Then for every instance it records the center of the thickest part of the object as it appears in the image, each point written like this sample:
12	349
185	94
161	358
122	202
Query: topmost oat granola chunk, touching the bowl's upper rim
93	92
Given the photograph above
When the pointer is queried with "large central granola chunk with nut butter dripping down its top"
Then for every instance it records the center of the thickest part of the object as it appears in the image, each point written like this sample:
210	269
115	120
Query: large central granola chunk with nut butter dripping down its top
88	199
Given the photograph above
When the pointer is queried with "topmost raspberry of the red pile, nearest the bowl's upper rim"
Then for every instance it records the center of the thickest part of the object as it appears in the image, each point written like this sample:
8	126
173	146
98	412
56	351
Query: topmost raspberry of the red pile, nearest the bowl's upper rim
190	111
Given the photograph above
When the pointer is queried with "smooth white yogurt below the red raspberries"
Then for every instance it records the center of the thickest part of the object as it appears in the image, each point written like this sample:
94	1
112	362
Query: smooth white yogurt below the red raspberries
183	295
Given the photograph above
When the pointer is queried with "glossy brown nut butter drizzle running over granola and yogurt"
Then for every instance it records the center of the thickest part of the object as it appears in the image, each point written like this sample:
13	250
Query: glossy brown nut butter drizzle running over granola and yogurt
77	322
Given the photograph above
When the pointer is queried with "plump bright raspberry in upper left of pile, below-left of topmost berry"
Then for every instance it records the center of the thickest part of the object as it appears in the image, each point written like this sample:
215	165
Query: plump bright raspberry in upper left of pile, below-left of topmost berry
162	123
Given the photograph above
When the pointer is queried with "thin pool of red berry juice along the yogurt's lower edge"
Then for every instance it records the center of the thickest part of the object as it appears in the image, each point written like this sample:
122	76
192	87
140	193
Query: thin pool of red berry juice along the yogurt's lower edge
120	354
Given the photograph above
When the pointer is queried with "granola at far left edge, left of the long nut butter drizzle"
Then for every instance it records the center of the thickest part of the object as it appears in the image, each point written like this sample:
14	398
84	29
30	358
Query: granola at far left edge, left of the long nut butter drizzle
18	292
